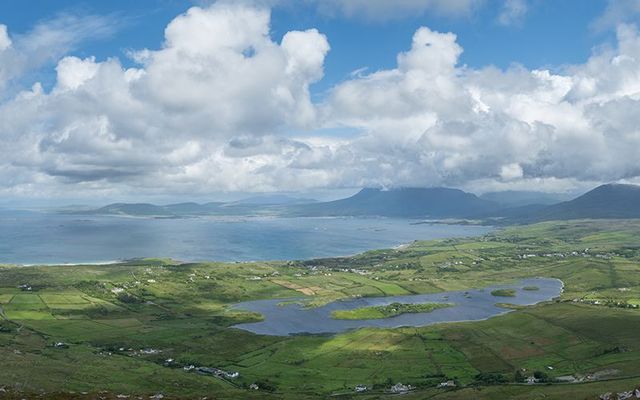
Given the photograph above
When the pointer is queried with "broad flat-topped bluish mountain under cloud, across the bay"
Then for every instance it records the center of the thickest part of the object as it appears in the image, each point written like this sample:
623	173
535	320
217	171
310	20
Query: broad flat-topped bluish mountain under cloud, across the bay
402	202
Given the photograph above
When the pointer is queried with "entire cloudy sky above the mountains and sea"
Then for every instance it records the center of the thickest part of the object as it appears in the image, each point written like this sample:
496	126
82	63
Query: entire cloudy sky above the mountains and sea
179	99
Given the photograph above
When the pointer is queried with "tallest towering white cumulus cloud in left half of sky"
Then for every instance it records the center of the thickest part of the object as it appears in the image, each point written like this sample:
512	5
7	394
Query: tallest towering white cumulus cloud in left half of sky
219	75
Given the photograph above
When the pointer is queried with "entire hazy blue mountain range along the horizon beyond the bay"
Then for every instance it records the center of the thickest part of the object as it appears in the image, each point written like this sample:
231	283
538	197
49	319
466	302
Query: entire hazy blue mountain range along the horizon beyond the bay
606	201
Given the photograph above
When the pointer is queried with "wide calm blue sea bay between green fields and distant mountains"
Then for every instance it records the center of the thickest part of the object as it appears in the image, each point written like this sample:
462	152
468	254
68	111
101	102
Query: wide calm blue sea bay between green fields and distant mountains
30	238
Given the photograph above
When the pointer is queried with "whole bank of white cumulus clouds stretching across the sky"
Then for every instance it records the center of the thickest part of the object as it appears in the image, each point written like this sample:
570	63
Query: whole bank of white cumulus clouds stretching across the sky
222	106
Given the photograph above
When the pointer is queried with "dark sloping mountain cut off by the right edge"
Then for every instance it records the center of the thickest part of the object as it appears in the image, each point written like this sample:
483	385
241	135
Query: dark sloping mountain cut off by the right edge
606	201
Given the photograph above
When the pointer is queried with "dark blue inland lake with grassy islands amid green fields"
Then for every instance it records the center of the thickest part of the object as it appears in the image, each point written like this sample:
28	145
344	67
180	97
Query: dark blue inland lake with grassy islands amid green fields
283	320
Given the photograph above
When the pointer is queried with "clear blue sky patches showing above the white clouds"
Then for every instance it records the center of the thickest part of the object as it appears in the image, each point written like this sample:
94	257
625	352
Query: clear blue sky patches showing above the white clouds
551	34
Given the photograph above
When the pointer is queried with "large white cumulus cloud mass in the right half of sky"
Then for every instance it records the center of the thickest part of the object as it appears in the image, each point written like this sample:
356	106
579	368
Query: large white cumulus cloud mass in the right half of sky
436	122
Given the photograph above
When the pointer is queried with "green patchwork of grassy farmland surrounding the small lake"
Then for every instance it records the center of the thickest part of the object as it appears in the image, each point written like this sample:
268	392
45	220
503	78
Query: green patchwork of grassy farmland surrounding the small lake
131	328
